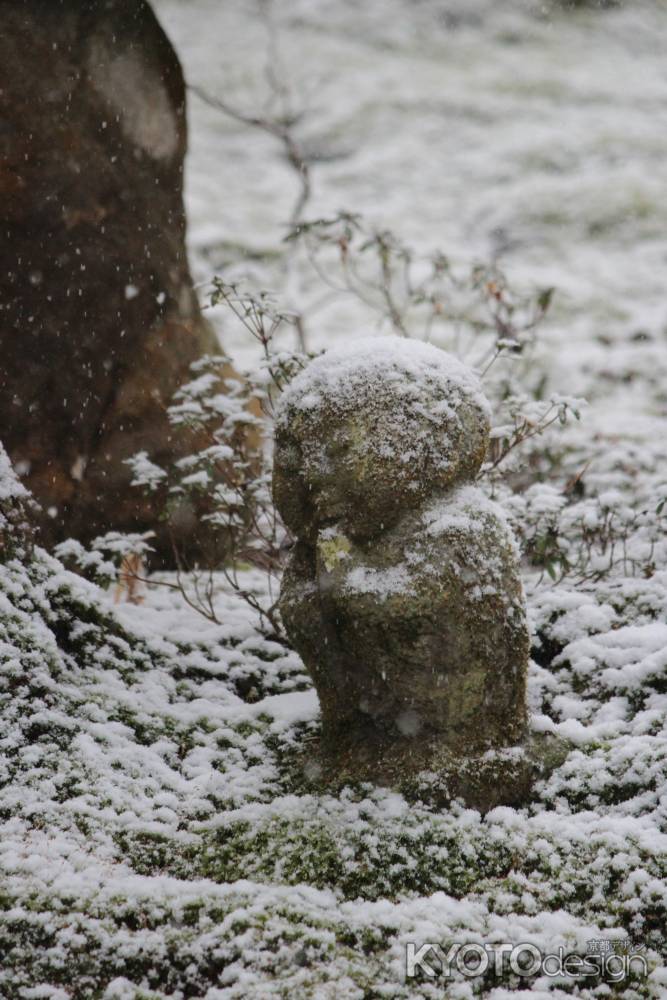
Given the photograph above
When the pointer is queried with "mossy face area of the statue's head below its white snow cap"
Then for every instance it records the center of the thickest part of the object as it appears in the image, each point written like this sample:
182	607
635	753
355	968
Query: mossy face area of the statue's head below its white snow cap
368	466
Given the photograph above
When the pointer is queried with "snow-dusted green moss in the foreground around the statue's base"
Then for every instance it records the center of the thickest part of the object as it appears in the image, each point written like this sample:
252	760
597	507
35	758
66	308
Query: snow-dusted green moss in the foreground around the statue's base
157	839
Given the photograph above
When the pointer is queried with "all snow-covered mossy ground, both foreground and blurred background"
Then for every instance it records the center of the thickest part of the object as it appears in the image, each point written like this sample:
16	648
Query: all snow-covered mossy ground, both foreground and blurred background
156	840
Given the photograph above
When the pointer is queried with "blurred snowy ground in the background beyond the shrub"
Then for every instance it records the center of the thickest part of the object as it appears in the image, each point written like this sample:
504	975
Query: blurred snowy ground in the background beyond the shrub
477	127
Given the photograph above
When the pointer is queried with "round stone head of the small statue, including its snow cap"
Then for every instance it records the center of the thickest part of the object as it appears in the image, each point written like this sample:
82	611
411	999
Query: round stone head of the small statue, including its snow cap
371	431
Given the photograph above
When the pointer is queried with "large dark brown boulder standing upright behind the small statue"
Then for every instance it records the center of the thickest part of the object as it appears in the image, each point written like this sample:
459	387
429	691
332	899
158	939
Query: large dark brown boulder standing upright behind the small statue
98	319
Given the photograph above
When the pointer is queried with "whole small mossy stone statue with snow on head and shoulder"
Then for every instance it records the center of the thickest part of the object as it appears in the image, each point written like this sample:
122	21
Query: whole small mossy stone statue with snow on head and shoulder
403	594
